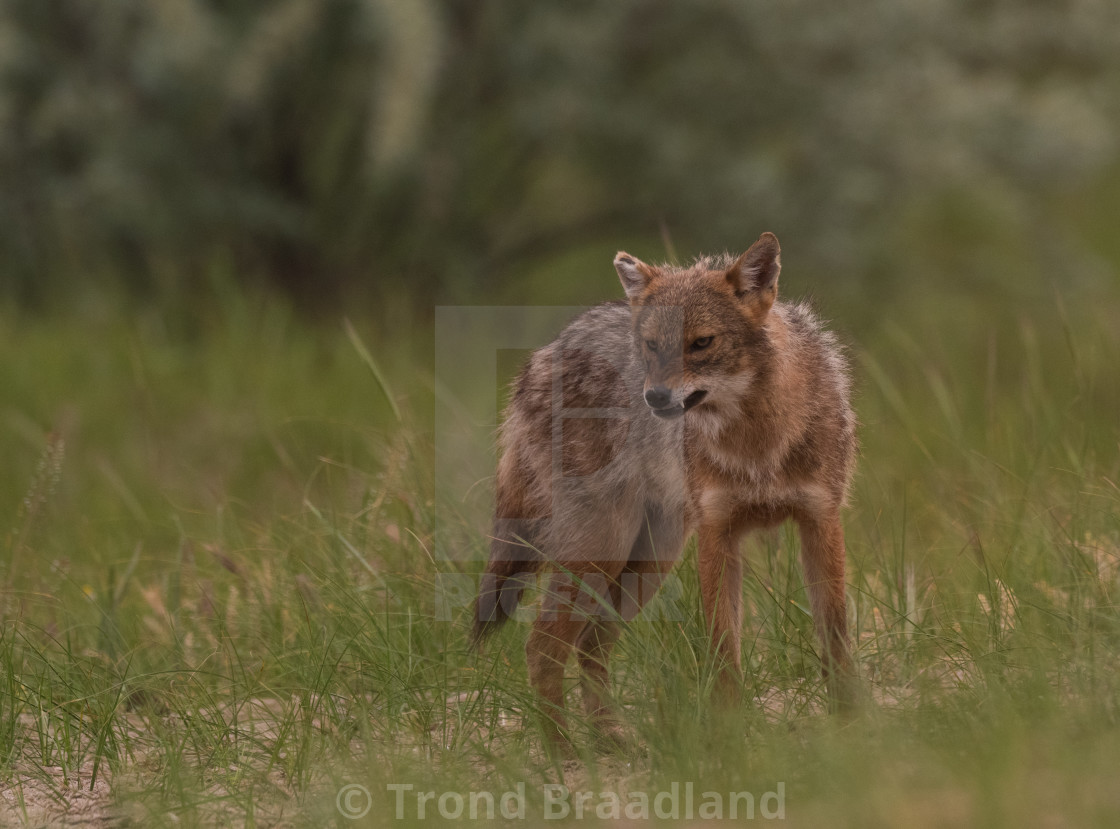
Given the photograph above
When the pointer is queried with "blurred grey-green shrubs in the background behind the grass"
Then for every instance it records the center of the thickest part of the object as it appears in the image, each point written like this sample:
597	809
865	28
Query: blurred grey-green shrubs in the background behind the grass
434	146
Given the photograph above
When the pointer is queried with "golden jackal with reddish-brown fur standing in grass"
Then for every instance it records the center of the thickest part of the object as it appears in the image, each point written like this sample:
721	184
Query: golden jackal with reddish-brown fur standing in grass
702	405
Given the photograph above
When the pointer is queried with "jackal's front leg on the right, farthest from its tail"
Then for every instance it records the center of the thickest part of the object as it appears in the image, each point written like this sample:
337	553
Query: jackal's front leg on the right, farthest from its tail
823	557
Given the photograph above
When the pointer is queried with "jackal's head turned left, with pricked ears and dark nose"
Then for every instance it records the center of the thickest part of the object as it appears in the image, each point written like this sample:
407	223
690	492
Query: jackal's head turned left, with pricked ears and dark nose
702	330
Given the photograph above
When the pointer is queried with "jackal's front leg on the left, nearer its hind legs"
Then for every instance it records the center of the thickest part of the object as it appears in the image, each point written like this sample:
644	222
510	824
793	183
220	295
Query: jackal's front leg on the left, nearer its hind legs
722	591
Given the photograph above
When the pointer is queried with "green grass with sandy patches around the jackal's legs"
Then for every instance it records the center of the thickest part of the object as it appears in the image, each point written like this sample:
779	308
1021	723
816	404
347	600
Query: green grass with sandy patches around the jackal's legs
220	585
